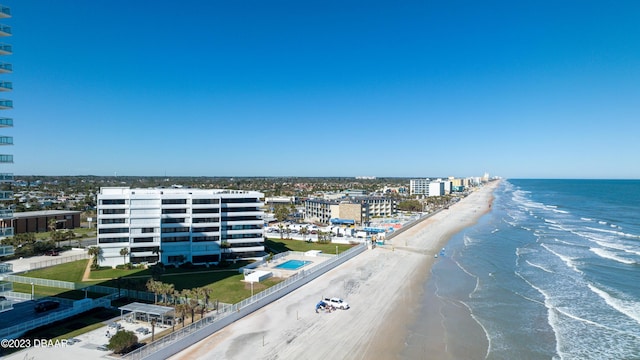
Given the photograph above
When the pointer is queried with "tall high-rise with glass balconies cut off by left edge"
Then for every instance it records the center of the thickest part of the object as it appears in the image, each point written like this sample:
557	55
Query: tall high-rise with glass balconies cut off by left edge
6	177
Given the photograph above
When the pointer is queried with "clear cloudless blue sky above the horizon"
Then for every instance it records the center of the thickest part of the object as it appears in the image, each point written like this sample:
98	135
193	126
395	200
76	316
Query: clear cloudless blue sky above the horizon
539	89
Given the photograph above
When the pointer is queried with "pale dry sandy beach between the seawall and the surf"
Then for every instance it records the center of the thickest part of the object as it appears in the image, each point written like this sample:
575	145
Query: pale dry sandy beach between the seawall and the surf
382	285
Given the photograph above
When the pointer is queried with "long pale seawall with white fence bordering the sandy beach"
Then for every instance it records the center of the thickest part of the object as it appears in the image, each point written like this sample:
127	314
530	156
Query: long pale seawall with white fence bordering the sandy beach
189	335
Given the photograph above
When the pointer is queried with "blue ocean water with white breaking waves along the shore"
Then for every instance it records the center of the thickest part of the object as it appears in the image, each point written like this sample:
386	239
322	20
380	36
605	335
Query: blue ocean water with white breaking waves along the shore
552	272
